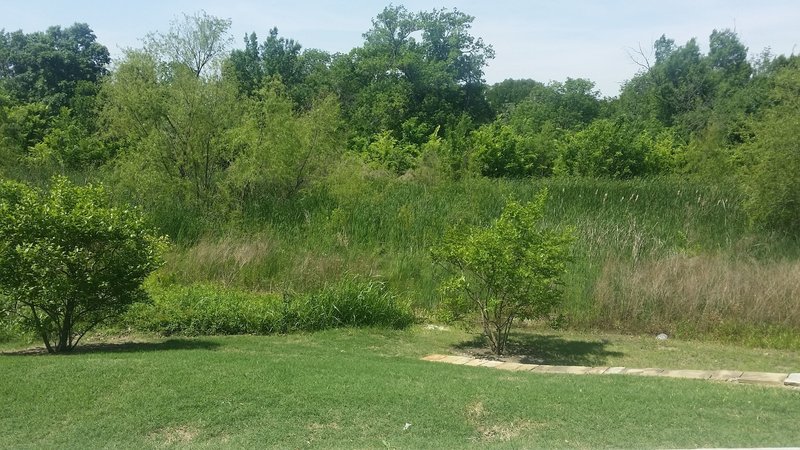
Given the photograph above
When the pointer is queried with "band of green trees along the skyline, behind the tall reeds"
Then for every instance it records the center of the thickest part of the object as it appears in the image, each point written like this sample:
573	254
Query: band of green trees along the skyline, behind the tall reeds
186	127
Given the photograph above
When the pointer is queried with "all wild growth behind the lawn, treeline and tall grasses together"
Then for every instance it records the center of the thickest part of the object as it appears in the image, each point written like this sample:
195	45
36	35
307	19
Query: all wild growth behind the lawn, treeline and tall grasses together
279	169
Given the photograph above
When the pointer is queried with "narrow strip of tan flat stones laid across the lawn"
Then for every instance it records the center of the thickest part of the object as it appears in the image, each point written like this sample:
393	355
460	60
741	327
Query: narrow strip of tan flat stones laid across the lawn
733	376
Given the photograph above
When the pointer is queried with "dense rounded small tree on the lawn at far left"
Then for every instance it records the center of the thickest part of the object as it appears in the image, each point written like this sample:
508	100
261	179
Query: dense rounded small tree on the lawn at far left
68	260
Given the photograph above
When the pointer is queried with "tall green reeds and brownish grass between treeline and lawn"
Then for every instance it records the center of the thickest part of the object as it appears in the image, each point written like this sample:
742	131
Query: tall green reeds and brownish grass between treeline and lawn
630	235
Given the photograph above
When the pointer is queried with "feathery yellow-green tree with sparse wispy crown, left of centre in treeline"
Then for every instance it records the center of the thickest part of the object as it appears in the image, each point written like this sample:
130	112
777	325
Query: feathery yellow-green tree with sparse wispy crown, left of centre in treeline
171	113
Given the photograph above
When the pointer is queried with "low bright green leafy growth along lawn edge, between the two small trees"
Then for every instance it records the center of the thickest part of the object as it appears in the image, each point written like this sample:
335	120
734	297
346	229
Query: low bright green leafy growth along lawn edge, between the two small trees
208	309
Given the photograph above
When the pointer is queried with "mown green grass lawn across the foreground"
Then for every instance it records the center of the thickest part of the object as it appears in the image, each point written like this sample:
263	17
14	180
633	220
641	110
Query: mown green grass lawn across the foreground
359	388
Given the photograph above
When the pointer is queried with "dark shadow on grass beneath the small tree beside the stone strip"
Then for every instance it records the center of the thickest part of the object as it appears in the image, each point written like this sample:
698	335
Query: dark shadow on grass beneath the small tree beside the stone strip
531	348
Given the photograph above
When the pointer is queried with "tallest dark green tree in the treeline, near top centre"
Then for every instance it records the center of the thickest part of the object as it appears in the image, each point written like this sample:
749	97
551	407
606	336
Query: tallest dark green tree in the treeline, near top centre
415	73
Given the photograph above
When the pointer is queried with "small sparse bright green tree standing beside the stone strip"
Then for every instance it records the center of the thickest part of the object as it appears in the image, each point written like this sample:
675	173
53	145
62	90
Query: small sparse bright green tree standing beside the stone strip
509	270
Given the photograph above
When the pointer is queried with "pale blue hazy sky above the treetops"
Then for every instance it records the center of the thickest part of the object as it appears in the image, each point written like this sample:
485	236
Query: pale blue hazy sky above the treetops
541	40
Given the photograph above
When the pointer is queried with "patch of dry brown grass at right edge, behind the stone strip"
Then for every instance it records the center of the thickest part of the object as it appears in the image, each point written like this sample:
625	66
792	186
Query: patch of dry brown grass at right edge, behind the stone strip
702	292
